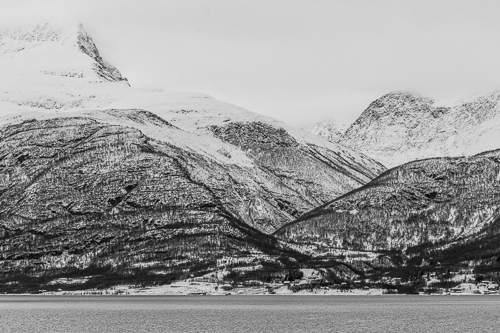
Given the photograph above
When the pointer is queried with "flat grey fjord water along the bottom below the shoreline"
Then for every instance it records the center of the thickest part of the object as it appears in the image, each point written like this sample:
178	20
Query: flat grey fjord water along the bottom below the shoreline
249	314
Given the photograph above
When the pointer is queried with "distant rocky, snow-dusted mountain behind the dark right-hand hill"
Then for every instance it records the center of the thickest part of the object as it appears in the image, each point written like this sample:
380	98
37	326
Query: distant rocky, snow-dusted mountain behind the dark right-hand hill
401	127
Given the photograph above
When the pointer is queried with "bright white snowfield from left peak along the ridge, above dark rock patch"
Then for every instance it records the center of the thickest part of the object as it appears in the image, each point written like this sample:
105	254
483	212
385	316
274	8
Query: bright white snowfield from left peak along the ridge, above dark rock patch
55	67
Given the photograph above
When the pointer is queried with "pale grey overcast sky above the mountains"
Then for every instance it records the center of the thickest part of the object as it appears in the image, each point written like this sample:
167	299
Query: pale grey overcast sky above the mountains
298	61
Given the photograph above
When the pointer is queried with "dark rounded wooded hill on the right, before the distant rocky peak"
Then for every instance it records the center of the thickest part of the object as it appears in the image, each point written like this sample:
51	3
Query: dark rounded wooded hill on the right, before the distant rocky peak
446	208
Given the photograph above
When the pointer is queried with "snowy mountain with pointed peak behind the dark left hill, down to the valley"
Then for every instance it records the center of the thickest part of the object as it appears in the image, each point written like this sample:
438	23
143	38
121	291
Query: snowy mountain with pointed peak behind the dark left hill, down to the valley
53	70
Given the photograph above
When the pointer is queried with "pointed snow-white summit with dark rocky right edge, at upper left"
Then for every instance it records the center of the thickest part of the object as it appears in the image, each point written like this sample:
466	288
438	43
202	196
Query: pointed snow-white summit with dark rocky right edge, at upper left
52	66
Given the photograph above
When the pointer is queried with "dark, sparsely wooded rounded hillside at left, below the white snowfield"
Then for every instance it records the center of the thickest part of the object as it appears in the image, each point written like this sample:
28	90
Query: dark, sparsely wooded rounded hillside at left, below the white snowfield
78	195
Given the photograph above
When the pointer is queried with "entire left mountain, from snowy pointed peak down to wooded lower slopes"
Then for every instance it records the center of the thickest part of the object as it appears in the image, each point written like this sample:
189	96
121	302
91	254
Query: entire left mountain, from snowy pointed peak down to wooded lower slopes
99	178
